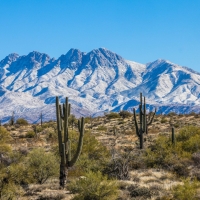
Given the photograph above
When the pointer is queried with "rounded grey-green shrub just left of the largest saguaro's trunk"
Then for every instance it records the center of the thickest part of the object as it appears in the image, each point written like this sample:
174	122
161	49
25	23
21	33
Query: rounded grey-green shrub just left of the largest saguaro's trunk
41	165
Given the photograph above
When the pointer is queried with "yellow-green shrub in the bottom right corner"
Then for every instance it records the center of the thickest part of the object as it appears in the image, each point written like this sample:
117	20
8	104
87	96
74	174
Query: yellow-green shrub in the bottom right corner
186	191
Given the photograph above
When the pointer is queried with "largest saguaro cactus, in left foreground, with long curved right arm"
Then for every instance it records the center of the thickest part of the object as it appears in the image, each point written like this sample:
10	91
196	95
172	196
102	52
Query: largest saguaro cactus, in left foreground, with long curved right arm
62	114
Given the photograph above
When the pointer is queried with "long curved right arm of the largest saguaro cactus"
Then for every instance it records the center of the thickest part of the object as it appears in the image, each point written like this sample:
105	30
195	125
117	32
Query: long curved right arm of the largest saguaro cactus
80	144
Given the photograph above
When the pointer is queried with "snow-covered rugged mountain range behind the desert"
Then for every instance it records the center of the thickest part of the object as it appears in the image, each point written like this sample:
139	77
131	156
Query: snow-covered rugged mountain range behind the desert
95	82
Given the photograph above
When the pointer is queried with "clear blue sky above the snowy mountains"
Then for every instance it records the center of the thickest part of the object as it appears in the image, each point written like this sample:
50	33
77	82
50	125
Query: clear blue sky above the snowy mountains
138	30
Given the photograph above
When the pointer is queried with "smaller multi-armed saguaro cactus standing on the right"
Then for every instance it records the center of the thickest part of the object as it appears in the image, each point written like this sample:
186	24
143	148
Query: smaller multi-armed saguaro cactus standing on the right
144	121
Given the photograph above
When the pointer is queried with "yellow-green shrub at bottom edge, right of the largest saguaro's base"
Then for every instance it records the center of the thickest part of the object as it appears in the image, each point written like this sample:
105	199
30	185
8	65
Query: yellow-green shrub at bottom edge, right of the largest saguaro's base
94	186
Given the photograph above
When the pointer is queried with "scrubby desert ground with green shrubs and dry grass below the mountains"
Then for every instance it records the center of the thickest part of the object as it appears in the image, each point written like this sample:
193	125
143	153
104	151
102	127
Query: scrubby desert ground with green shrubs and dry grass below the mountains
29	160
